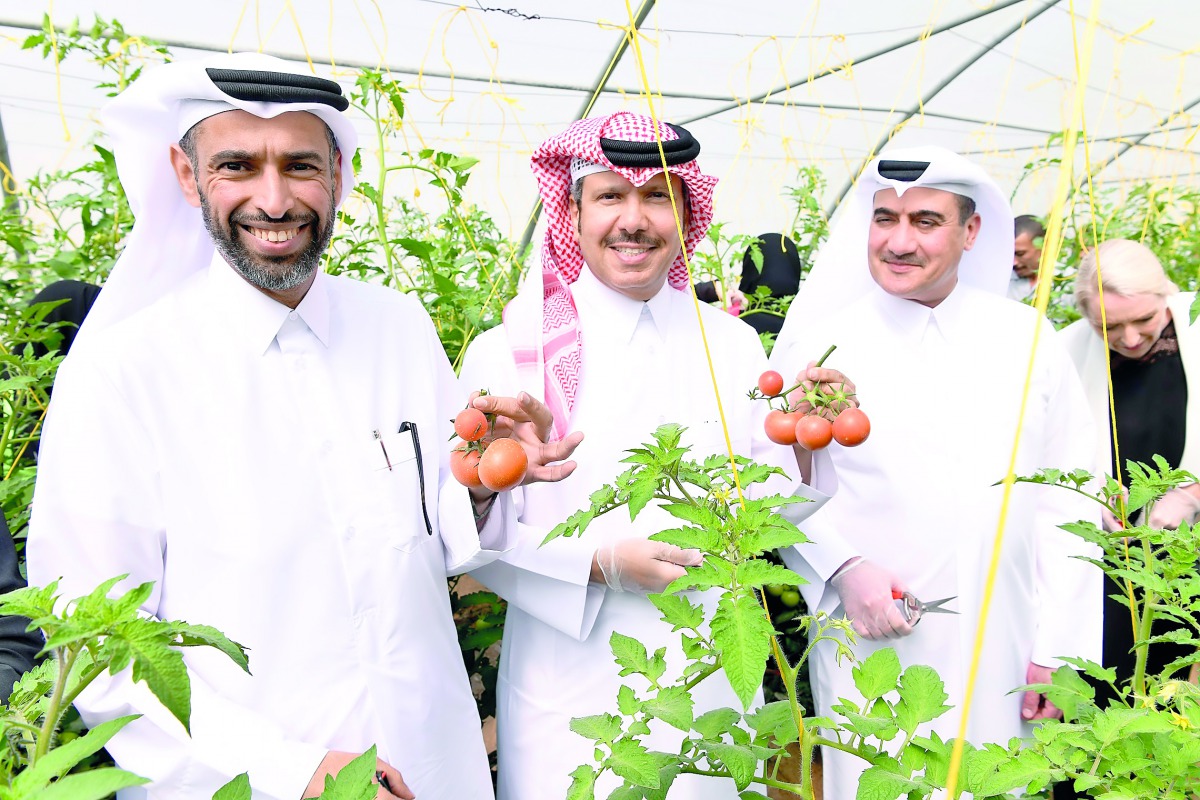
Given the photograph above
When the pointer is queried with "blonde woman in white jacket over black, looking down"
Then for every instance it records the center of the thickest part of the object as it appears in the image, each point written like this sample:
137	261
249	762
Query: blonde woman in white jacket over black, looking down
1154	350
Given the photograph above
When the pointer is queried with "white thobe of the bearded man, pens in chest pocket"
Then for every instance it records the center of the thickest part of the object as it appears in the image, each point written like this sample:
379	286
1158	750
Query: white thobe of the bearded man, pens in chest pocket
225	448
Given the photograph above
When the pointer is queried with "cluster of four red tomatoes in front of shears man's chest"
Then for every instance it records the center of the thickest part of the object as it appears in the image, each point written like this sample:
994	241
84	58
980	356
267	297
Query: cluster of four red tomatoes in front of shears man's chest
832	419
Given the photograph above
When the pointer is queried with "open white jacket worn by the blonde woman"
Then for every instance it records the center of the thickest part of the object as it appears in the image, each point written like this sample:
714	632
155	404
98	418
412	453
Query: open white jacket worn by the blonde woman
1087	351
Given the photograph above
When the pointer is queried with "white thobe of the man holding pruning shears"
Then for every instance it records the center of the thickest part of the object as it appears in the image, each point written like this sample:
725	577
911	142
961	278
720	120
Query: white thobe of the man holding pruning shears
944	390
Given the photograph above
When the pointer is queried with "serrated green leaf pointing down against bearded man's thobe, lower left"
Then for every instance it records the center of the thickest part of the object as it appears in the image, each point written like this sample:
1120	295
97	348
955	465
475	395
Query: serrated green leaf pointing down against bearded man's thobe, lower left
157	664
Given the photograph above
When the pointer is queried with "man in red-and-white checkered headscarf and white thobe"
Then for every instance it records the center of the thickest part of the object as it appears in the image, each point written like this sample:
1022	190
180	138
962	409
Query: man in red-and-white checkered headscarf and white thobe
611	312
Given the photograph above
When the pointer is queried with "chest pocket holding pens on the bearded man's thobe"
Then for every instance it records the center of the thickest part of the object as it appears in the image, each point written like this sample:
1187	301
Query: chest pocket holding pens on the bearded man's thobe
395	506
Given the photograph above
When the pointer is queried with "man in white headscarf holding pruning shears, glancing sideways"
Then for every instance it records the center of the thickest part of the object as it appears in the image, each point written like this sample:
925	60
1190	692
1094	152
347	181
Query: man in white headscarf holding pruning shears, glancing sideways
940	359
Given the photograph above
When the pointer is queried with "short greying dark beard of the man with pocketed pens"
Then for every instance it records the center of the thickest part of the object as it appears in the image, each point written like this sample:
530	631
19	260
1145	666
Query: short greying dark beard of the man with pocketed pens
274	274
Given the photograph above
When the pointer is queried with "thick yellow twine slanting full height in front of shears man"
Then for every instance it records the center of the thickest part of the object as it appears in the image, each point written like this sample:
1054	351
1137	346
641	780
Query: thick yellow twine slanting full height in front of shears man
1049	256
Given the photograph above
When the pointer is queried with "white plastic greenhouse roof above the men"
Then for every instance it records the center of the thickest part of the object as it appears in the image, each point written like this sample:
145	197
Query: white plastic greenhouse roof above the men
766	86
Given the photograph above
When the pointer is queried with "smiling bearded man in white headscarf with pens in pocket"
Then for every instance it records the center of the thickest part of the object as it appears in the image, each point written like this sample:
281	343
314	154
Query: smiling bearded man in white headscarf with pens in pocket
266	443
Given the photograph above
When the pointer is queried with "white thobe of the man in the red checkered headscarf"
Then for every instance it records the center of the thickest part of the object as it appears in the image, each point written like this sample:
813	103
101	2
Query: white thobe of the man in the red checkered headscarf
644	365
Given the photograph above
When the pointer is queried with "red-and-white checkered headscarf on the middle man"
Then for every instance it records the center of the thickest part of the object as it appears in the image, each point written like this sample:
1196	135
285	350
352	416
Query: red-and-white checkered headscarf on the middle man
554	350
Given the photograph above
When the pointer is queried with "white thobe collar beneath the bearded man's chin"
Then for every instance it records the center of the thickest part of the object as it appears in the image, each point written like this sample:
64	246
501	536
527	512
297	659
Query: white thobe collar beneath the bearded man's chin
254	320
